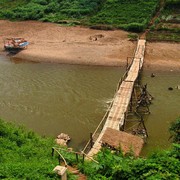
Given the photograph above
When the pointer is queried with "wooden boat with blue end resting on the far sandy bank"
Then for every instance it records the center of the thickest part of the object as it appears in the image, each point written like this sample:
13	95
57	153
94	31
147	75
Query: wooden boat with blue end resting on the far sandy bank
15	44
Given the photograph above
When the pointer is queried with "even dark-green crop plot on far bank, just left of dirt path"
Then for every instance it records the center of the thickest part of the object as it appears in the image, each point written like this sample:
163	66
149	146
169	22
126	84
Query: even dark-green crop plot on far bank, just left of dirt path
129	15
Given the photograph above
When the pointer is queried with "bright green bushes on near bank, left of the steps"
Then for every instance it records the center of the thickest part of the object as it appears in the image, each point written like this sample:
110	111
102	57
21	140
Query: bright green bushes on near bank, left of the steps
24	155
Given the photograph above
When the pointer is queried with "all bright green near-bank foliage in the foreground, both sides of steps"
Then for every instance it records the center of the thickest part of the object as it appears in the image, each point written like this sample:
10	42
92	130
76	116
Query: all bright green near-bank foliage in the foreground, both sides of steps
25	155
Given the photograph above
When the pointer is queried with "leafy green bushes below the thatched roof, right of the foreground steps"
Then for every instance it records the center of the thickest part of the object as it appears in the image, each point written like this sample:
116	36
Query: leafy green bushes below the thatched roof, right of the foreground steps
160	165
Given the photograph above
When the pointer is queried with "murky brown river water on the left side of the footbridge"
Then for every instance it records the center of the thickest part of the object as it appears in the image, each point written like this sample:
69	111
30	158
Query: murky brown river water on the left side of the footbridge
55	98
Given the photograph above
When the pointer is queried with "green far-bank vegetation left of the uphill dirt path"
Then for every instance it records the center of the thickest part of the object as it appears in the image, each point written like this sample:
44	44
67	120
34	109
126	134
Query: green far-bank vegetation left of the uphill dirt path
132	15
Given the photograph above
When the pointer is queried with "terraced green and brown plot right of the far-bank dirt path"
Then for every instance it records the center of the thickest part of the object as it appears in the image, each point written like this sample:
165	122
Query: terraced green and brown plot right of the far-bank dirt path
166	27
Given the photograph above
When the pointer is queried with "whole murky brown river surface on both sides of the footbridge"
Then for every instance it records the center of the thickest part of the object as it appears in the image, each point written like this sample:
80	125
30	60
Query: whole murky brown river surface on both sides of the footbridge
54	98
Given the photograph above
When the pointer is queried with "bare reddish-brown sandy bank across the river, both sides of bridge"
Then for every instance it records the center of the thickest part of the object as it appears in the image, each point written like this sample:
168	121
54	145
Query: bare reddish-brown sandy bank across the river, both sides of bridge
79	45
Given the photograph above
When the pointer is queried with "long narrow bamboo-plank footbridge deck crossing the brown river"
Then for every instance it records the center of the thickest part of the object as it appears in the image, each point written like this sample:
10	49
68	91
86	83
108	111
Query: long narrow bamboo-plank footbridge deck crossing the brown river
115	116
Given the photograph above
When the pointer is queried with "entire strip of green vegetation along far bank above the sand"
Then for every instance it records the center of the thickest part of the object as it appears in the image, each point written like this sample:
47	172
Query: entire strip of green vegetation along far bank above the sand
130	15
